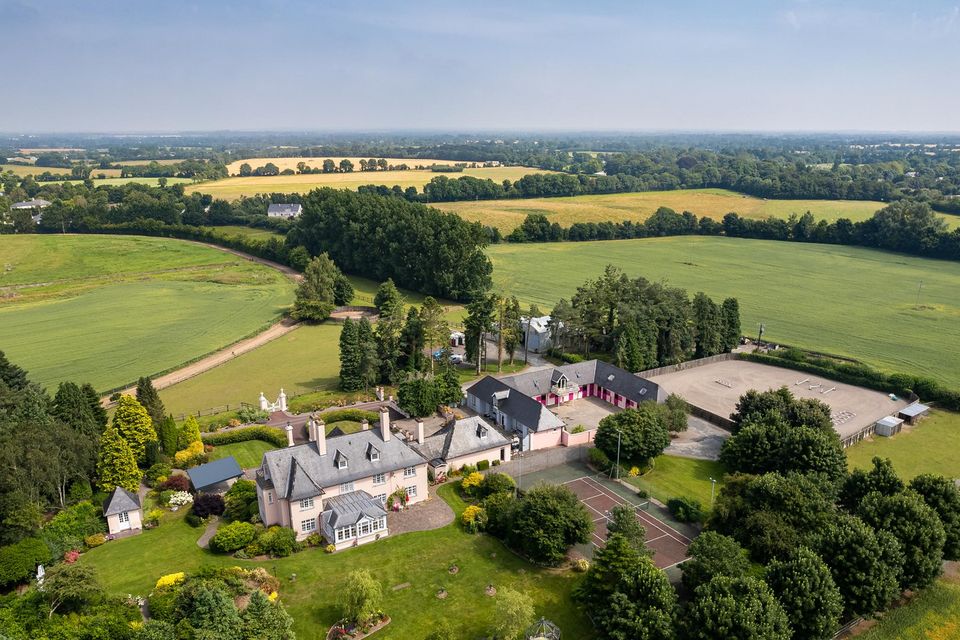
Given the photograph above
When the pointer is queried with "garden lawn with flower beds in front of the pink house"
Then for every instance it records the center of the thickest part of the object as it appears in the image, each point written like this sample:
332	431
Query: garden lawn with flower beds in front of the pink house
421	559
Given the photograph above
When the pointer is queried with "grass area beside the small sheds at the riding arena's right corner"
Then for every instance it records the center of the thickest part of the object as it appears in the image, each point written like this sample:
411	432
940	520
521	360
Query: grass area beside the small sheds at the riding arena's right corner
929	447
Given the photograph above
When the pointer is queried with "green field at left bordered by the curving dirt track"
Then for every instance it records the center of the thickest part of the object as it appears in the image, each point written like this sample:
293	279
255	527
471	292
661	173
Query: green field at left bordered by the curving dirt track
108	309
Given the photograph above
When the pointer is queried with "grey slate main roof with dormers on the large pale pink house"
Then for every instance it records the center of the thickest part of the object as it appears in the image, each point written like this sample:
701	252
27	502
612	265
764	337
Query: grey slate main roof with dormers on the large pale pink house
301	472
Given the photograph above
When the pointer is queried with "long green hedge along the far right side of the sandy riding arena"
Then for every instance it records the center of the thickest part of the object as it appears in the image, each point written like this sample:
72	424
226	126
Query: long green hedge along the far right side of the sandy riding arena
862	375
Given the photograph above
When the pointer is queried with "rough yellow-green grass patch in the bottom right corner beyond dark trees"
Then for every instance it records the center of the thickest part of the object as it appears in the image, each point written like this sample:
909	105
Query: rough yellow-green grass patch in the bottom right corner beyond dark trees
933	615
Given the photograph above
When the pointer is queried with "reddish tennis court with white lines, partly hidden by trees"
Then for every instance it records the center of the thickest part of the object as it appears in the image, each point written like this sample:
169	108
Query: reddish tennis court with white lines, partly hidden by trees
669	546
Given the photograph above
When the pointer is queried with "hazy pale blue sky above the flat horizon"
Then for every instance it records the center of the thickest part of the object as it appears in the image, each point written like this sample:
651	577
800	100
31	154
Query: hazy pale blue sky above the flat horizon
792	65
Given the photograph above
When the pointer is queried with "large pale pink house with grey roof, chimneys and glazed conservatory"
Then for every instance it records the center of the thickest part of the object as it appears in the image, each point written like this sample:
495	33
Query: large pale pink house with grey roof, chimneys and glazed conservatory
339	486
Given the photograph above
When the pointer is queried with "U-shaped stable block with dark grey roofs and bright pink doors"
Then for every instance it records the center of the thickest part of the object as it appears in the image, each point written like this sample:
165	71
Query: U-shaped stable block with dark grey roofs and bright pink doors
519	403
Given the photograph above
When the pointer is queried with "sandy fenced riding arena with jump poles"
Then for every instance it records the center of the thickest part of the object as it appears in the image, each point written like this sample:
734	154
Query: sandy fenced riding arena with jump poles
716	388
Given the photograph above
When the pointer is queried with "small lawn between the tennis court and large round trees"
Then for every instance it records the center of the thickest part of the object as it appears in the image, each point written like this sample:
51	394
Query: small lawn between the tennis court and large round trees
676	477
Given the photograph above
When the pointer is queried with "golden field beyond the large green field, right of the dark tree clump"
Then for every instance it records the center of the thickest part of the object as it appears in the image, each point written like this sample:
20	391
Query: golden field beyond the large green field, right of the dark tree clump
619	207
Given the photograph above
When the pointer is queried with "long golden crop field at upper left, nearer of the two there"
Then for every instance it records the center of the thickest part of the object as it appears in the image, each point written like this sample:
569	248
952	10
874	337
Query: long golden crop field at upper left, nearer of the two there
233	188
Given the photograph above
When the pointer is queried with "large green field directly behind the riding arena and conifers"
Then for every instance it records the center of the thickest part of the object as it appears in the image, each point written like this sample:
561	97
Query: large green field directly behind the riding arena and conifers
849	301
